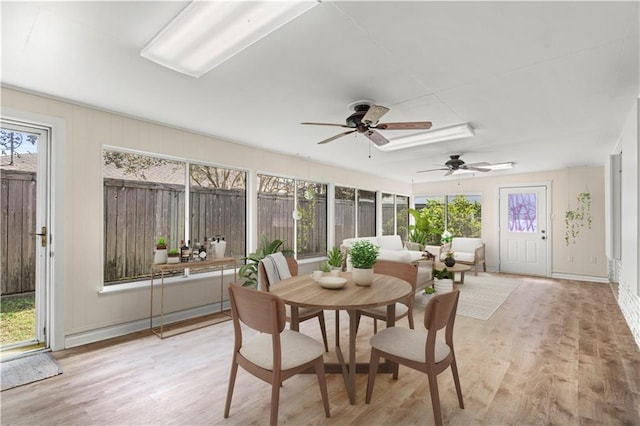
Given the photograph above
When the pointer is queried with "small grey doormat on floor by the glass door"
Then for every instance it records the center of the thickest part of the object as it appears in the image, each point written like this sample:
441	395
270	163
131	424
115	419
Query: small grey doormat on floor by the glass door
28	369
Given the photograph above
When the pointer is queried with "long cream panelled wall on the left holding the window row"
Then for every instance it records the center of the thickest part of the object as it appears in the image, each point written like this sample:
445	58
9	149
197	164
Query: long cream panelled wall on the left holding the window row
92	315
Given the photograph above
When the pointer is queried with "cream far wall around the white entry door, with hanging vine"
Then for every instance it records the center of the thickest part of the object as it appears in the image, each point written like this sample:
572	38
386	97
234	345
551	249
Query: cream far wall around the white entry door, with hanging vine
589	259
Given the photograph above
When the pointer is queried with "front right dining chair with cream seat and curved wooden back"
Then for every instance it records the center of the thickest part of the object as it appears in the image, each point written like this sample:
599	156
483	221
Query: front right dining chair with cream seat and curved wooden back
420	351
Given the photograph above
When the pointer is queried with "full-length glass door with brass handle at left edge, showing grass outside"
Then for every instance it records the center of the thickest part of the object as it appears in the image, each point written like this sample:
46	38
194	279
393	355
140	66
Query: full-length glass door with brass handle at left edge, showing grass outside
24	235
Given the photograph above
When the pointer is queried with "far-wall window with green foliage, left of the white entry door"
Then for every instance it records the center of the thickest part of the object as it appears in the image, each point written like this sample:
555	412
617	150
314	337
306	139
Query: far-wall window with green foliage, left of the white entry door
460	214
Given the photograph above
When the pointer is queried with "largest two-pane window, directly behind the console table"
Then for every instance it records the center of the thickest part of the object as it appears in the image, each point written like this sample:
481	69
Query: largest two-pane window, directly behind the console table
145	198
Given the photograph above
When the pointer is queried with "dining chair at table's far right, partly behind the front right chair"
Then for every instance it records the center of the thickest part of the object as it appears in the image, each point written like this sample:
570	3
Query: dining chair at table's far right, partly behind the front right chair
404	308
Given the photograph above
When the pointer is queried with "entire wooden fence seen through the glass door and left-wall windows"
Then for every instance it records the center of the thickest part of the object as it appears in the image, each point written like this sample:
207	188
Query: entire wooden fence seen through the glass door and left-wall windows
137	213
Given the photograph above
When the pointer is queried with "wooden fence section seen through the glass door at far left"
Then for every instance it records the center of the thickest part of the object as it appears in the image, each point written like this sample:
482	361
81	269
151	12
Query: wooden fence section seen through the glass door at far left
18	222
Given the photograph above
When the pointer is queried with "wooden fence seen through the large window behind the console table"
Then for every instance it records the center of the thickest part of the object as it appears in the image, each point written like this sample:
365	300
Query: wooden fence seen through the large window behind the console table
137	213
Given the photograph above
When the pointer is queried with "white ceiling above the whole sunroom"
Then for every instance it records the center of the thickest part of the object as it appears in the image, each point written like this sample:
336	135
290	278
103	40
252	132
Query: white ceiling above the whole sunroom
547	85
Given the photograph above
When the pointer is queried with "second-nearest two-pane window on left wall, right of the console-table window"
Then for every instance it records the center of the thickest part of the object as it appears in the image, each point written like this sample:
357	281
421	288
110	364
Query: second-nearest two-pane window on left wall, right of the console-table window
293	211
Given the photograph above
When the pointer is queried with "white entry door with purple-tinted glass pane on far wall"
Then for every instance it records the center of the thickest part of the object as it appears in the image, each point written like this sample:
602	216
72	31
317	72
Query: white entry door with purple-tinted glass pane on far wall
524	238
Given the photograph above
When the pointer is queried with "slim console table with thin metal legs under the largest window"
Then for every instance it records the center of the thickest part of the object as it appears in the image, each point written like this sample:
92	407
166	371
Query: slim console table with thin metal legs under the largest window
163	269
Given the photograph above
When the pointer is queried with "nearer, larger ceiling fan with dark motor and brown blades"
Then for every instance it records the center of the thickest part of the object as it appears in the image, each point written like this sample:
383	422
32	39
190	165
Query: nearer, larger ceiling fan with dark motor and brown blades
365	119
